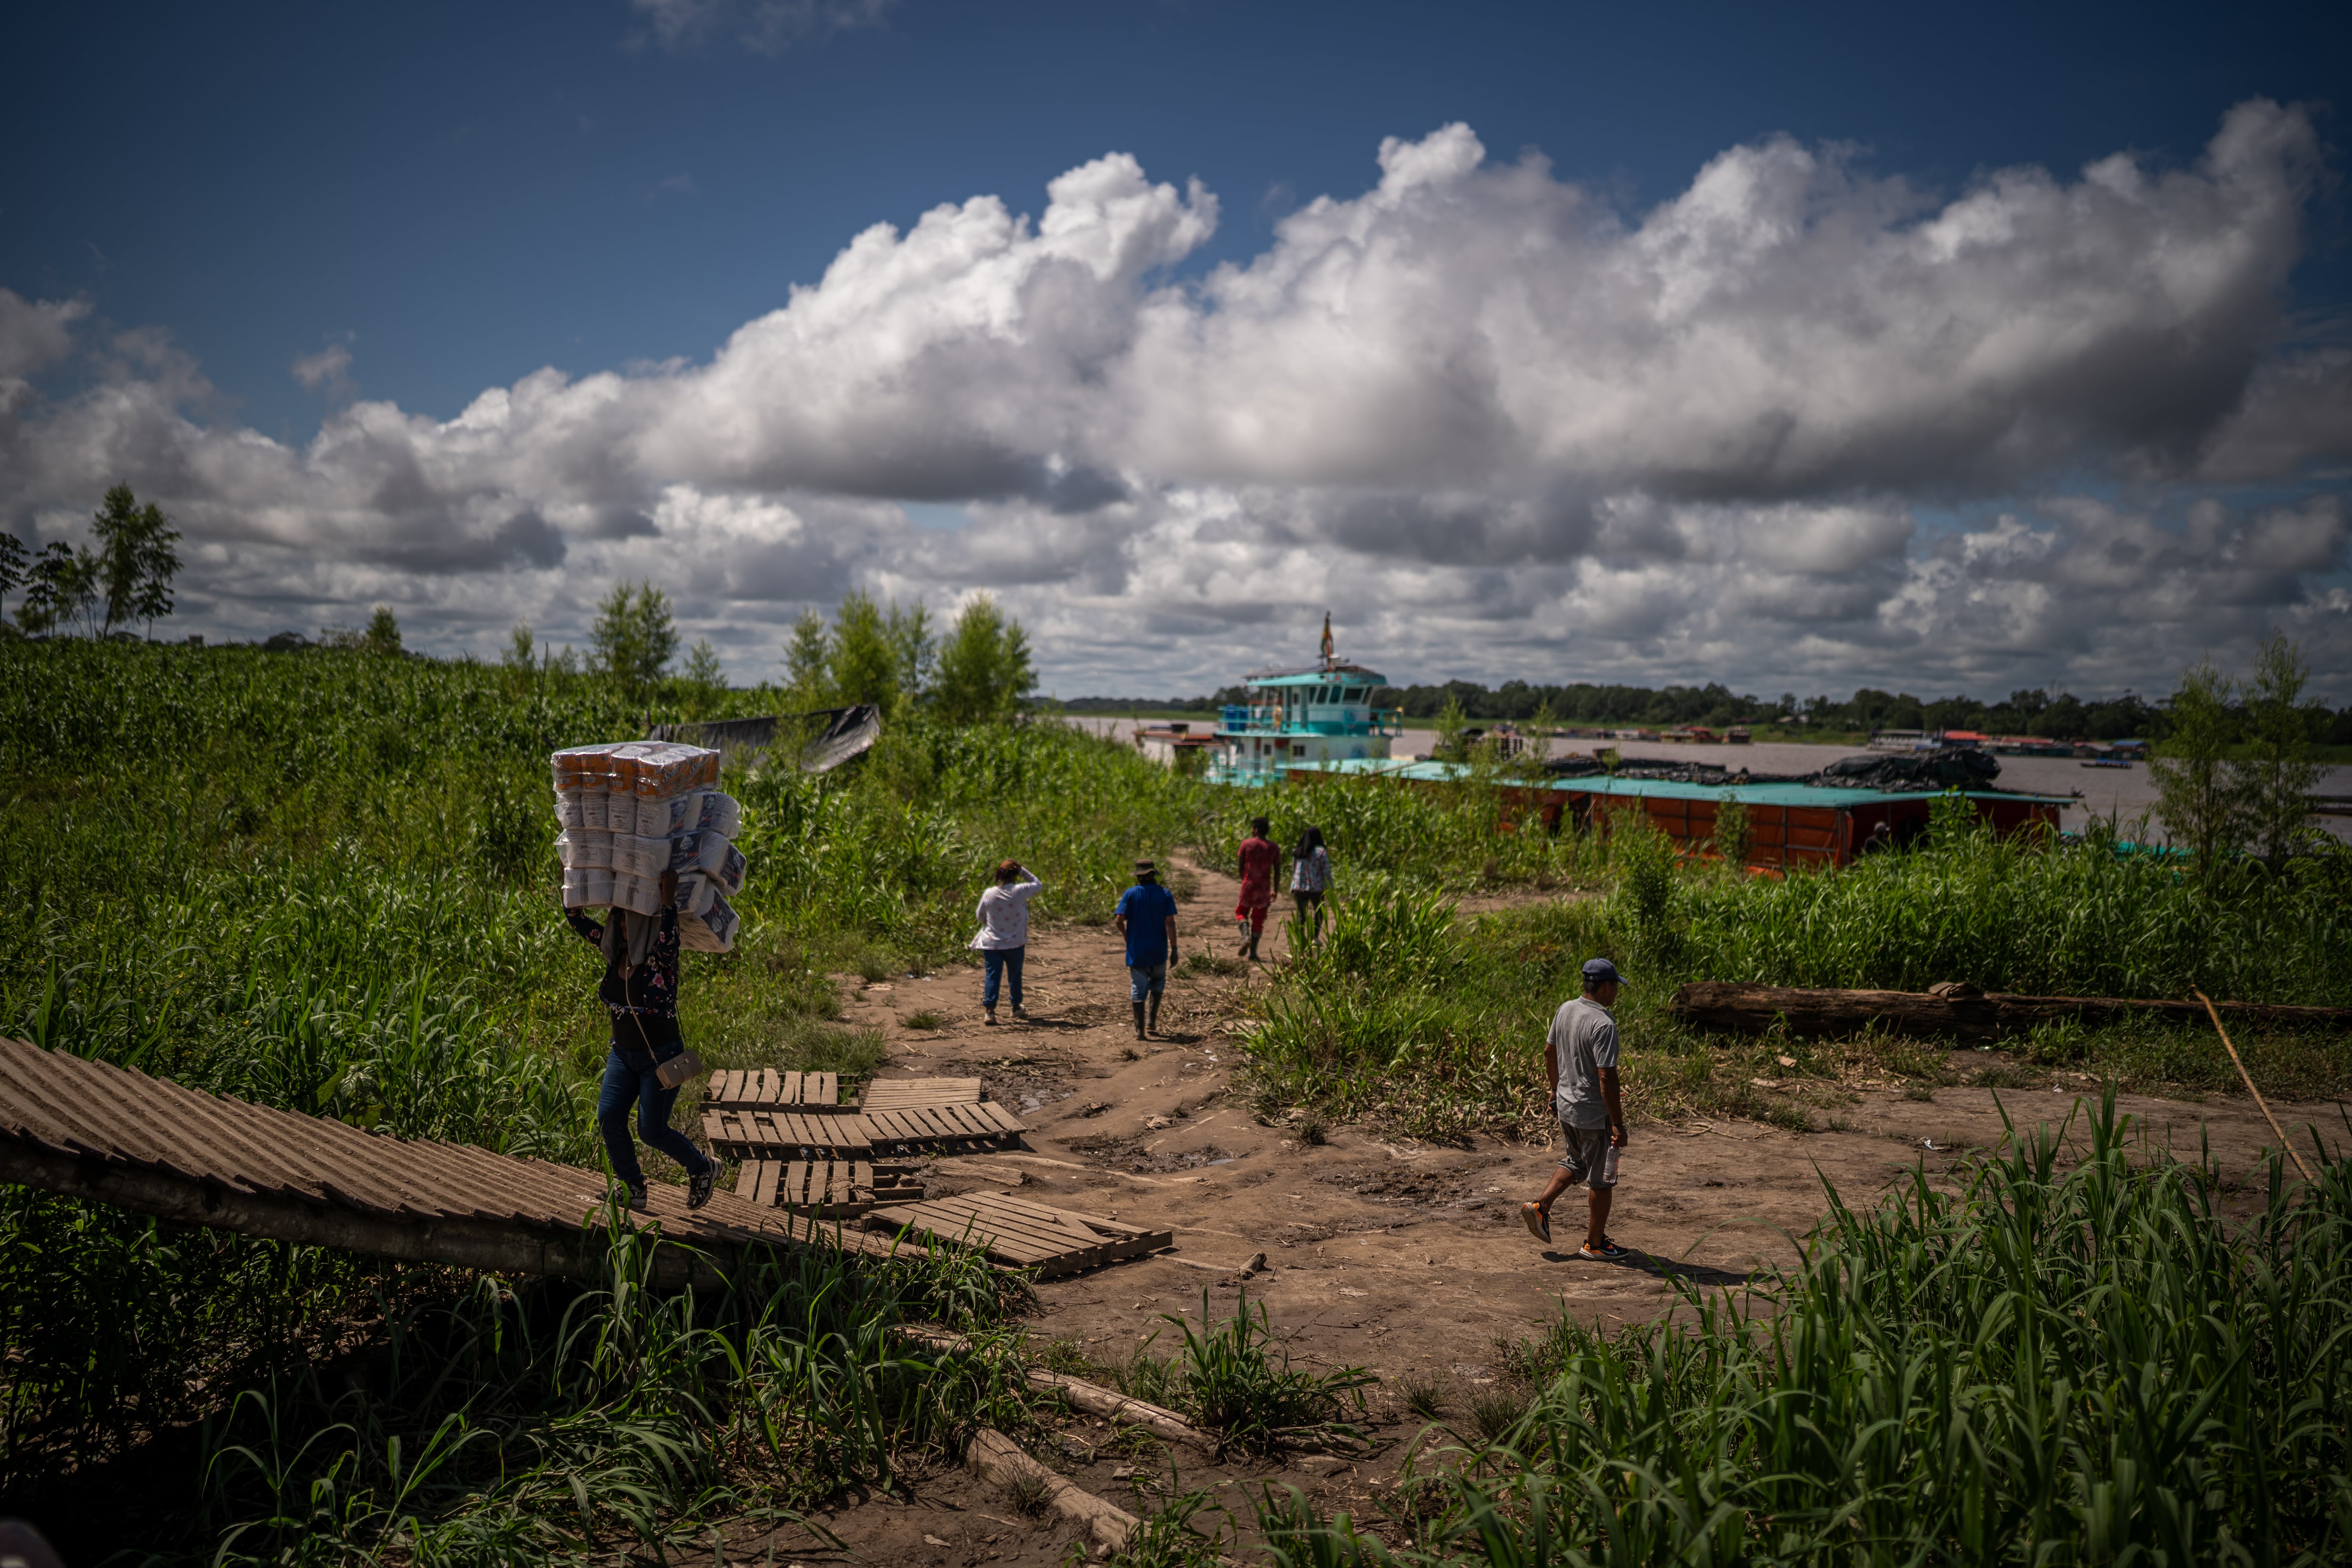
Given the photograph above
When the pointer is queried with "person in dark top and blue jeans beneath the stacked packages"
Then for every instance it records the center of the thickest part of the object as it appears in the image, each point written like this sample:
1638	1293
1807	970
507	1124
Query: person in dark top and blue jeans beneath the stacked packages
641	996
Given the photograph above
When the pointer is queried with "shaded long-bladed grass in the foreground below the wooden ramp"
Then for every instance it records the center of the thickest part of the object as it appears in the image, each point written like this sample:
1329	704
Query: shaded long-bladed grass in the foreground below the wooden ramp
516	1423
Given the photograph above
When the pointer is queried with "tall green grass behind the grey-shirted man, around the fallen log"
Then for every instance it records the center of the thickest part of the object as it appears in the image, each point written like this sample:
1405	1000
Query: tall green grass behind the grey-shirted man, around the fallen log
1436	1021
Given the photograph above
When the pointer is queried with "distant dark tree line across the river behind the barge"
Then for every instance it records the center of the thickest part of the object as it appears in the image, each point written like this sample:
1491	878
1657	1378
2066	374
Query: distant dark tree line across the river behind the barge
2022	713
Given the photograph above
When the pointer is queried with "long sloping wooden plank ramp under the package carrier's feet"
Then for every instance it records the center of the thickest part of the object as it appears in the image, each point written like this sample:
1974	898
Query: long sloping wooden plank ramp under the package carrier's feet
116	1137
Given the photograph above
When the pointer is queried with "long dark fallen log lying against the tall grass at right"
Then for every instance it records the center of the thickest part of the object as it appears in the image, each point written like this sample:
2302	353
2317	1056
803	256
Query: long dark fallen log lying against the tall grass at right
1949	1012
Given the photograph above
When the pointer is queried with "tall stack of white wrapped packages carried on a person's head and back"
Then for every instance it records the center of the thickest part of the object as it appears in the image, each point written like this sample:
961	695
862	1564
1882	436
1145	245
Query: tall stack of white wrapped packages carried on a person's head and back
639	810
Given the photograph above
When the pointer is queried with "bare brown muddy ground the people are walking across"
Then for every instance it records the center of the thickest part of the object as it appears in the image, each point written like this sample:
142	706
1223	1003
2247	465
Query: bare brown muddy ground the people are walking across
1396	1257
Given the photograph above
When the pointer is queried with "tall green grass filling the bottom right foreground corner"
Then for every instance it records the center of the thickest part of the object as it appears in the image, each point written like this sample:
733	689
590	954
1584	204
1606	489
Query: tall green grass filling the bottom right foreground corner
2085	1362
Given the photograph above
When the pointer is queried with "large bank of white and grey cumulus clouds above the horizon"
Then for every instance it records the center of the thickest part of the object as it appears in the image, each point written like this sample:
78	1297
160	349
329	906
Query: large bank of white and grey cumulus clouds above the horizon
1492	420
